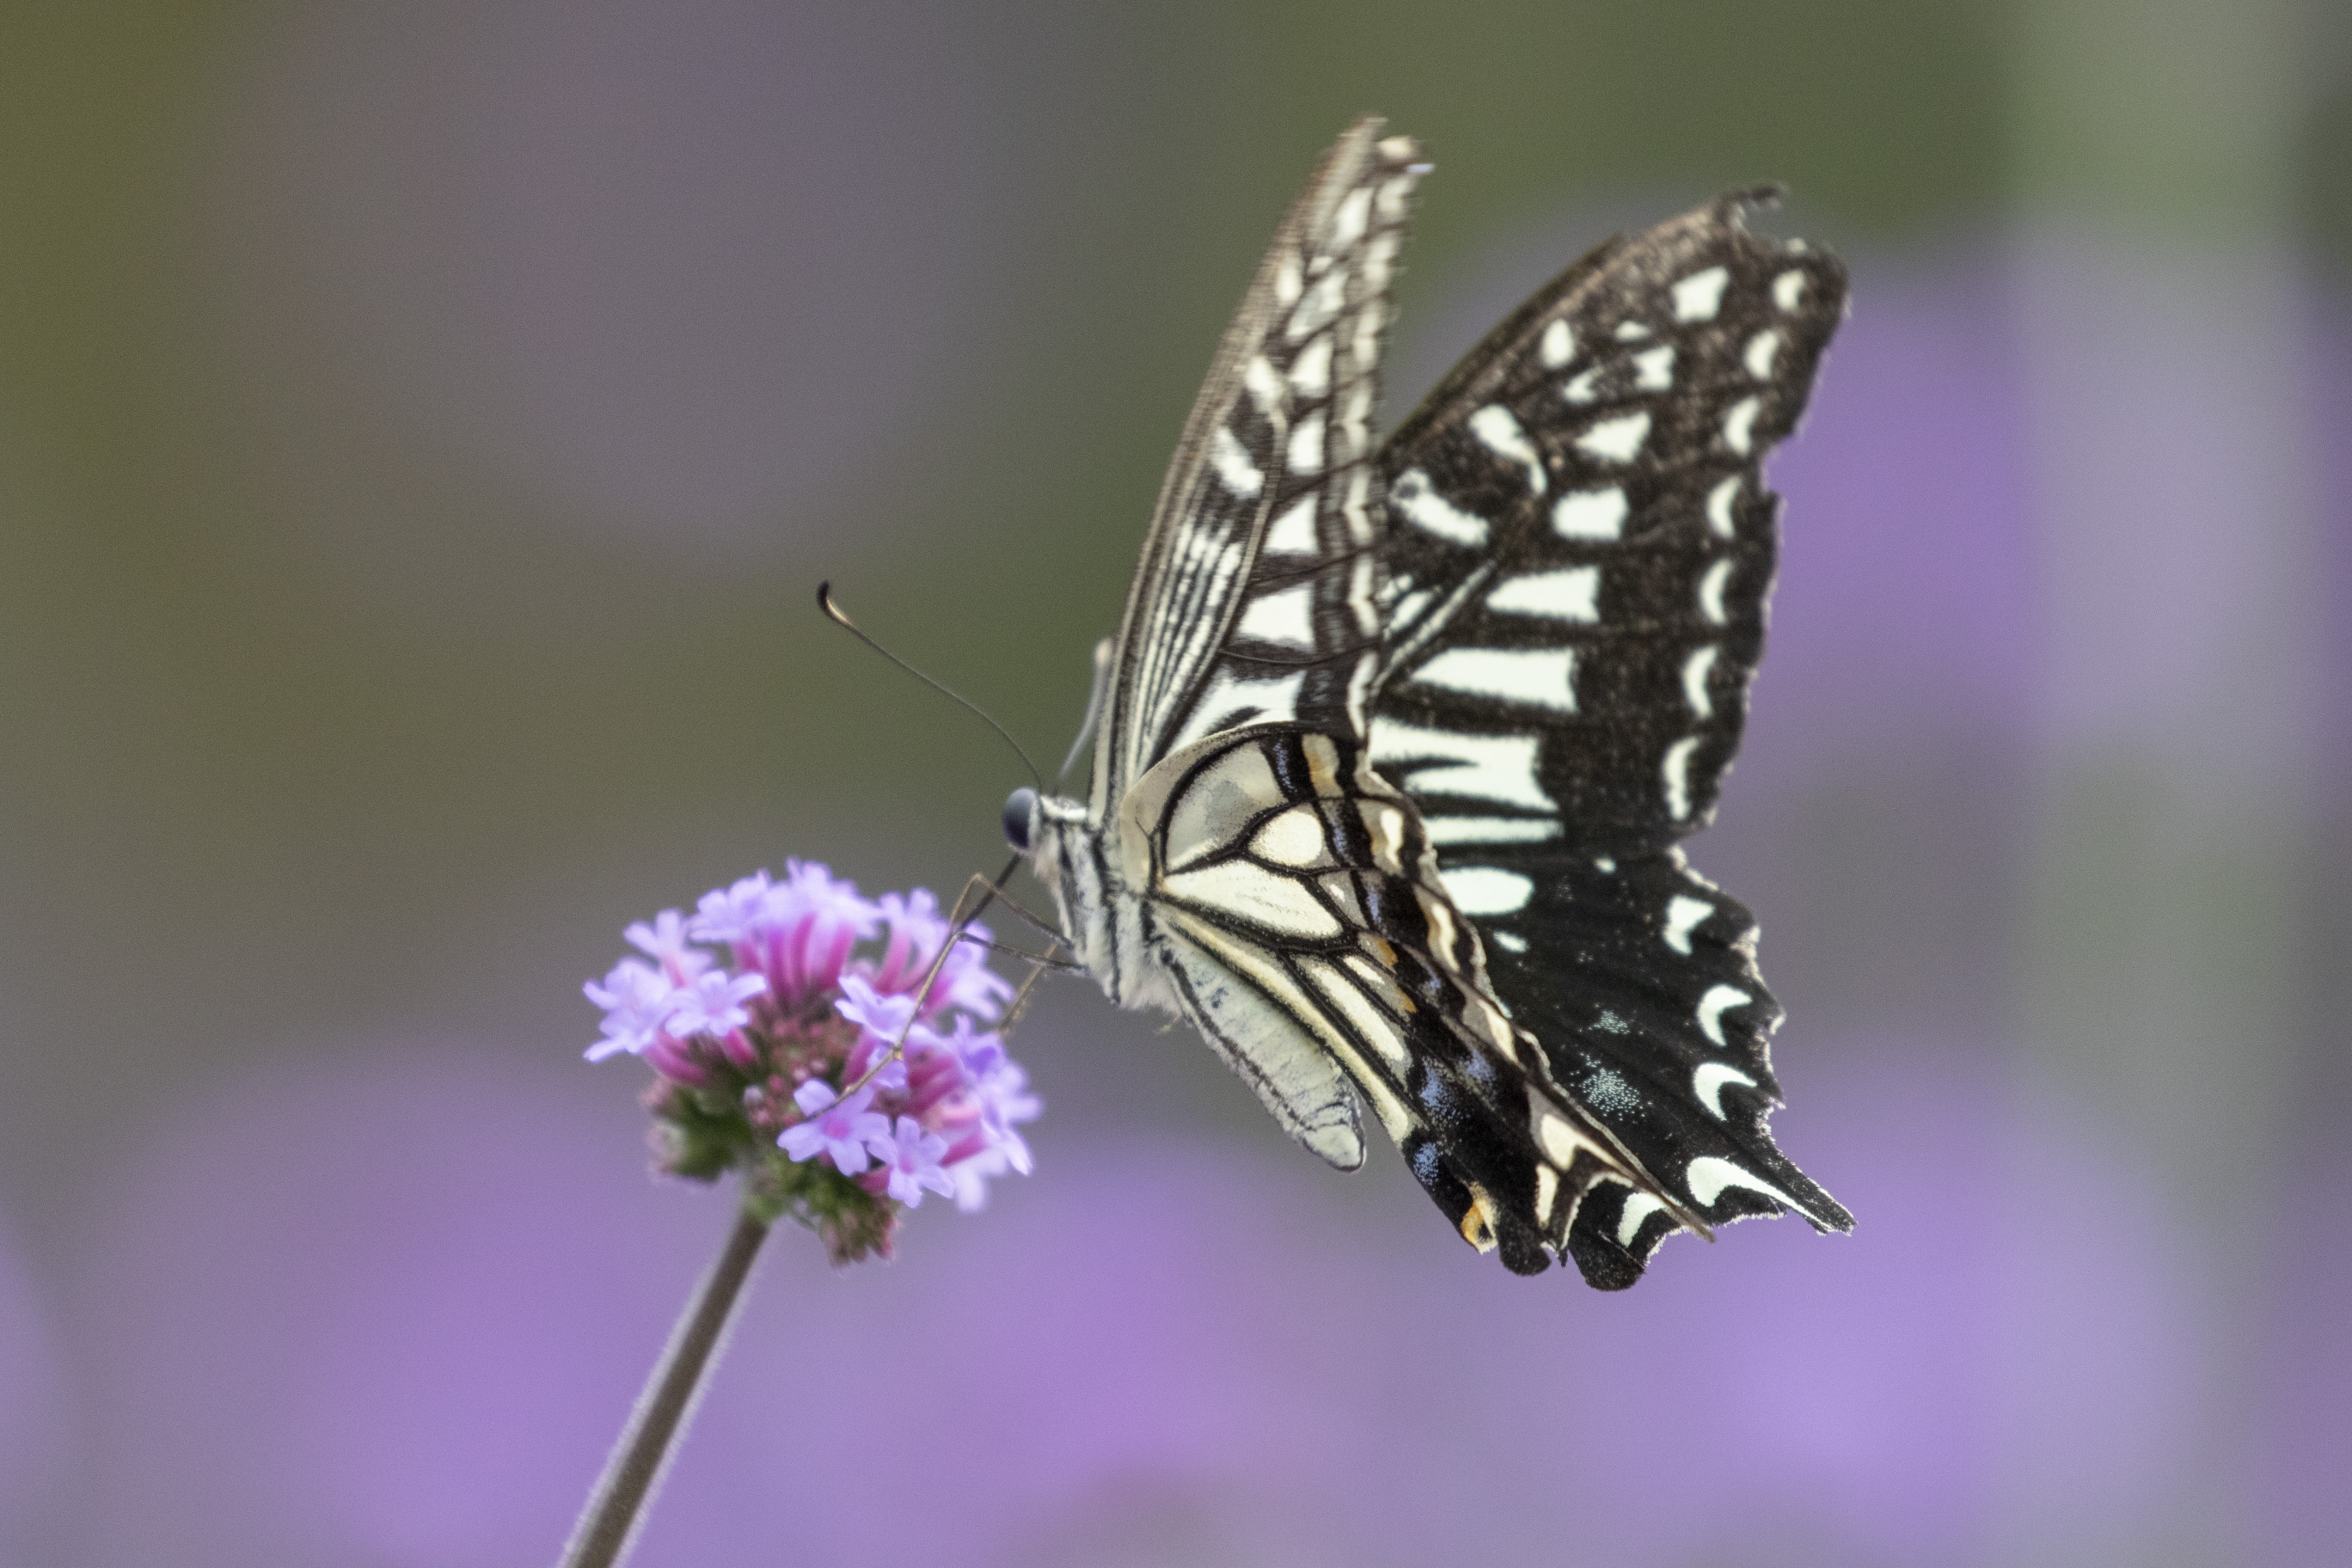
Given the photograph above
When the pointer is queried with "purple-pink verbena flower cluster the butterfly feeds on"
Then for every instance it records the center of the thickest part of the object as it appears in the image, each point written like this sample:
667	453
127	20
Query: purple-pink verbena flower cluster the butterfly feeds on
773	1038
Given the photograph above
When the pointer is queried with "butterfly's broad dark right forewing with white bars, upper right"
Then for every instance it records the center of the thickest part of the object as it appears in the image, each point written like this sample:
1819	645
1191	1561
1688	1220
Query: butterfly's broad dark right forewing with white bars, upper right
1584	542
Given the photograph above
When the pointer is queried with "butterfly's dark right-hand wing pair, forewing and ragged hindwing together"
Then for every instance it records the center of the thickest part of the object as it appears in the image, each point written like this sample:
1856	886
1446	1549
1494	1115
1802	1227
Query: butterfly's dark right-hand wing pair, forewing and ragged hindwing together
1579	568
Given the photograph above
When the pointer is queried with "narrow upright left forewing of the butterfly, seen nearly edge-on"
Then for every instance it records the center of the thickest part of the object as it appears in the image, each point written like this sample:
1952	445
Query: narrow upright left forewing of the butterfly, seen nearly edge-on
1257	594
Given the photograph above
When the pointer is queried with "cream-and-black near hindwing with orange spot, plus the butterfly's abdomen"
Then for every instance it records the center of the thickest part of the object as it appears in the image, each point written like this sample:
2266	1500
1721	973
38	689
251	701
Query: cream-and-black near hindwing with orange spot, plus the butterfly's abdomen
1302	920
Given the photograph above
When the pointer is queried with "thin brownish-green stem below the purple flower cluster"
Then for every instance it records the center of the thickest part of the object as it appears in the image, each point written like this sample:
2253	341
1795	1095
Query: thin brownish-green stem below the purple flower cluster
615	1513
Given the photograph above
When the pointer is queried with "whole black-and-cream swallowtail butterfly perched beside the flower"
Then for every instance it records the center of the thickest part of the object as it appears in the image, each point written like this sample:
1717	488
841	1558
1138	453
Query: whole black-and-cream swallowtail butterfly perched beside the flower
1396	744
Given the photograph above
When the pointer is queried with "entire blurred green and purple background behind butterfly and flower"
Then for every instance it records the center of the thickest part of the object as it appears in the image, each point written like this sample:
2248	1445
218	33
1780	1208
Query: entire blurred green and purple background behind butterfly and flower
422	431
